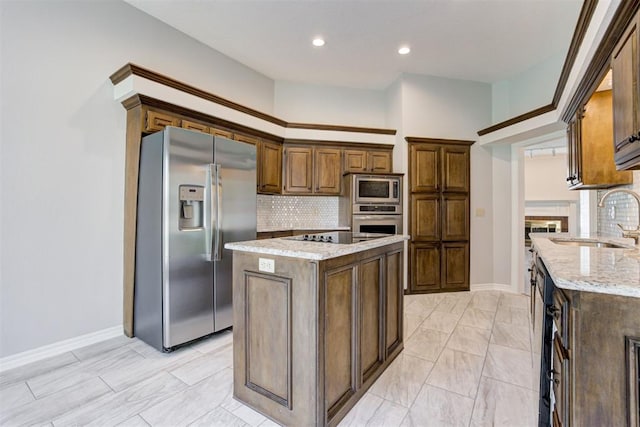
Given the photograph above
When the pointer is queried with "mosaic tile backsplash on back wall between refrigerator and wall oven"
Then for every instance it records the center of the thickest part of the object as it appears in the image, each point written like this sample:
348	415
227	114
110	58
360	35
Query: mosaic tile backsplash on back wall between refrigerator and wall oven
297	212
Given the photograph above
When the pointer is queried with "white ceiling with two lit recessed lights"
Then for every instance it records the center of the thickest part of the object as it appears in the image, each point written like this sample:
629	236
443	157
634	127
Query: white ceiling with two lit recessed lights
480	40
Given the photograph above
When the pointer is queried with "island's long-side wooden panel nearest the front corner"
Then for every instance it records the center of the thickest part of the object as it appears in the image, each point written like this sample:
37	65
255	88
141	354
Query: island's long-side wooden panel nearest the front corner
340	290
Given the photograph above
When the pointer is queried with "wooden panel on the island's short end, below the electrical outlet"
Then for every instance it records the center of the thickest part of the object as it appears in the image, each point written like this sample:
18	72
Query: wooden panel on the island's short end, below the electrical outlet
268	302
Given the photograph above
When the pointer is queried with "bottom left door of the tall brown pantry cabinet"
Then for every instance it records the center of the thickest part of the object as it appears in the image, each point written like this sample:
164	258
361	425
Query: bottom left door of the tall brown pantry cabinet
425	267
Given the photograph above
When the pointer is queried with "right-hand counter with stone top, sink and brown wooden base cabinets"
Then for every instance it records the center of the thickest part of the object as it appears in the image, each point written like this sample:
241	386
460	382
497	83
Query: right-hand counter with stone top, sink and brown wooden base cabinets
587	312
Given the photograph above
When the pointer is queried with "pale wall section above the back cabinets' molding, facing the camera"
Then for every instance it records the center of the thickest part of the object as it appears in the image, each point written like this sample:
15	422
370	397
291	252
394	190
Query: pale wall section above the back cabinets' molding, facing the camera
304	103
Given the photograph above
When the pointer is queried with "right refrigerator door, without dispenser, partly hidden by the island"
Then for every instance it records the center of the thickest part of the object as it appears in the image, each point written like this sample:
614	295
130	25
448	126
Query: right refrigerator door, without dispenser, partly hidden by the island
236	215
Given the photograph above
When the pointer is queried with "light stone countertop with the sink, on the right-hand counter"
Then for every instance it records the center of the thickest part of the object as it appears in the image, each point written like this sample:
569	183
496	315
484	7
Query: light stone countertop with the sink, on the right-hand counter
614	271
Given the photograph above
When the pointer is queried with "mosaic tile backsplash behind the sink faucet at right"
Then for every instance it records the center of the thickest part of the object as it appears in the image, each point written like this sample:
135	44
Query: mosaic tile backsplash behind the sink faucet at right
619	208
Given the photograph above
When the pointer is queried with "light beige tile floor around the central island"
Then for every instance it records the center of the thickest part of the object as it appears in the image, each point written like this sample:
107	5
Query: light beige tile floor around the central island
467	362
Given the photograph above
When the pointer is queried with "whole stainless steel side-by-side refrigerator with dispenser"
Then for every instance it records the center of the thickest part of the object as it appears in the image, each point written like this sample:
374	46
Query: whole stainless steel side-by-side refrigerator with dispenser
196	192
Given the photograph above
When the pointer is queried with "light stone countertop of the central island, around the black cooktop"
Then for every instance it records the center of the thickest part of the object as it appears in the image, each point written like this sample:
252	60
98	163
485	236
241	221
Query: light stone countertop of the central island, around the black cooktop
283	246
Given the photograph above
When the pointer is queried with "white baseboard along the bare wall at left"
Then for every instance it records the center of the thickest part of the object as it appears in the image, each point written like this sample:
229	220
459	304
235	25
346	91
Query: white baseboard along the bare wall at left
59	347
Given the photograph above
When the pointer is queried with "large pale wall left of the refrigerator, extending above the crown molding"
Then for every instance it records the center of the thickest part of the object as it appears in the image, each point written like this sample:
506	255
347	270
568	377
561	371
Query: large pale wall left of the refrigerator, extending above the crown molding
62	163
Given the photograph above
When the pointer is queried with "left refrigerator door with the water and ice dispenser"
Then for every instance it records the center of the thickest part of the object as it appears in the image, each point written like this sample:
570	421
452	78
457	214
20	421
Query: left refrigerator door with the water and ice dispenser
187	273
